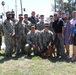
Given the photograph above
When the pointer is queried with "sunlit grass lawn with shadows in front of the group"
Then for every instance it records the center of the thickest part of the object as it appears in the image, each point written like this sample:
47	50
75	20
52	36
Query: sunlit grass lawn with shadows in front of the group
36	66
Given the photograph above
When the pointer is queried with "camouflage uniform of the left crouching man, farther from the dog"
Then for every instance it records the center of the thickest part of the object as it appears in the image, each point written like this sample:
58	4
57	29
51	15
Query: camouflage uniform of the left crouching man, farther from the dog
33	38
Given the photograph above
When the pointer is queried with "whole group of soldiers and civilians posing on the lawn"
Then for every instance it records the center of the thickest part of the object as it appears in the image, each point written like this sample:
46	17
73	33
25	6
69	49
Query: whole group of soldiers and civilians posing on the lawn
34	34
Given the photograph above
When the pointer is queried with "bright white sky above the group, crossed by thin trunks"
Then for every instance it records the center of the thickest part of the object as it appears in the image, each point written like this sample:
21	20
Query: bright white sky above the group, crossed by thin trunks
39	6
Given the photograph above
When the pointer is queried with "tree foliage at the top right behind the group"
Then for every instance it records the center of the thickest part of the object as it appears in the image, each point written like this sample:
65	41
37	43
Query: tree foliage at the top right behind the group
67	6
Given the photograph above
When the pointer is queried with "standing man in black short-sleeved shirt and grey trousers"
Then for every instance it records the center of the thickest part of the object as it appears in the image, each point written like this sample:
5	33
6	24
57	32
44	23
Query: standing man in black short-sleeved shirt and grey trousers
58	27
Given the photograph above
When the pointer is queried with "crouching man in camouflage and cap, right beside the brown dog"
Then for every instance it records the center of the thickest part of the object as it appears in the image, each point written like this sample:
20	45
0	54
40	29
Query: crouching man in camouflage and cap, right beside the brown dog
47	39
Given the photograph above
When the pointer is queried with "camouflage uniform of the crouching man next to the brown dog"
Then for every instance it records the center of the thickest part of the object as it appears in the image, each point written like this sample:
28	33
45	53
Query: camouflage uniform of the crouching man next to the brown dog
46	39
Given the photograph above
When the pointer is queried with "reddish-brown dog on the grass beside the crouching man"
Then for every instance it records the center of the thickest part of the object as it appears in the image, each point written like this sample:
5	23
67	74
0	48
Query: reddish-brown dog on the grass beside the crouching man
49	52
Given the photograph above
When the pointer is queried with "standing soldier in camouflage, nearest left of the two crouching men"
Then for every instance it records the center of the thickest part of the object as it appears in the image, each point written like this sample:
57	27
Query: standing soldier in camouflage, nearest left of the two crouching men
20	35
